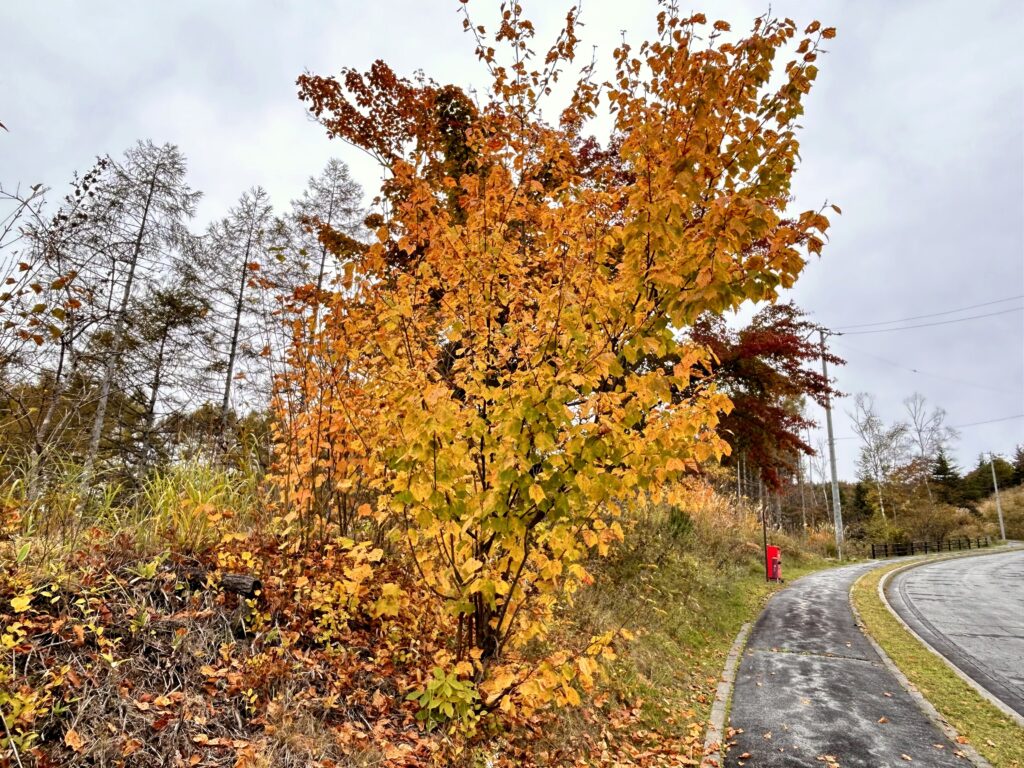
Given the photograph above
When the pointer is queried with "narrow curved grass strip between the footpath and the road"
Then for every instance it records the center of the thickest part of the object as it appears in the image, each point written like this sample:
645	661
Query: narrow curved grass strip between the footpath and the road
994	735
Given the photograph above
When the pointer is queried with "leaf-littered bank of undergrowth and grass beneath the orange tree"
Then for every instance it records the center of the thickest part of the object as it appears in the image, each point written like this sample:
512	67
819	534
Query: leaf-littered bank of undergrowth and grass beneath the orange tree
121	649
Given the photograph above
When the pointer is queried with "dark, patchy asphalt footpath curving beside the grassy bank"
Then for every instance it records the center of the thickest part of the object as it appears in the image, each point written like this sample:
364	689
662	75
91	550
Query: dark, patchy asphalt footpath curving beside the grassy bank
813	692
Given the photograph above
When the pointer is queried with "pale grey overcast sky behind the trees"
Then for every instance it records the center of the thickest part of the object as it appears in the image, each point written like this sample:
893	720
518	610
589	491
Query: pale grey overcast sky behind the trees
916	130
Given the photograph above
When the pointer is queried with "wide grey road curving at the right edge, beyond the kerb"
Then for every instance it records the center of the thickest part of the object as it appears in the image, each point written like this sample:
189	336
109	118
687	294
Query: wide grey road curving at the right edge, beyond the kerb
972	612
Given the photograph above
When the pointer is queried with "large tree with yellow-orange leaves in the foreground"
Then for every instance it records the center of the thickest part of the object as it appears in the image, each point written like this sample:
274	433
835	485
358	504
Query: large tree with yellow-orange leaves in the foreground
478	390
